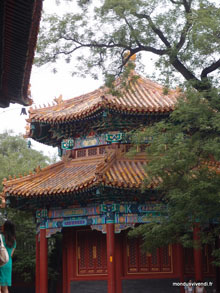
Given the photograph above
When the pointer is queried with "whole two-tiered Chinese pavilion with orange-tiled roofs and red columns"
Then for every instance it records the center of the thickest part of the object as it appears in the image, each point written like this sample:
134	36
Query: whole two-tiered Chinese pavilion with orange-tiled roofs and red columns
93	195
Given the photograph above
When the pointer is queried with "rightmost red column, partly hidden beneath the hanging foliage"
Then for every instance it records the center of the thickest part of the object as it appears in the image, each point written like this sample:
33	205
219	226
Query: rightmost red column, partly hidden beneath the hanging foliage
197	253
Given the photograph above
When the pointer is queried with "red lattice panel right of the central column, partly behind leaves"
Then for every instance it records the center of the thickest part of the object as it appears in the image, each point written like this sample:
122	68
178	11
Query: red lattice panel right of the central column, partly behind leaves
142	262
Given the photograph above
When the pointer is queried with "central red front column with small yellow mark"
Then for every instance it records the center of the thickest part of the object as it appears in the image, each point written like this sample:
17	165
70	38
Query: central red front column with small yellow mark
110	228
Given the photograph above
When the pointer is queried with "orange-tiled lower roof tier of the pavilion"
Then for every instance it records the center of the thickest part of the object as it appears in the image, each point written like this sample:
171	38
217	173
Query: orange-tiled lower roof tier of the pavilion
74	175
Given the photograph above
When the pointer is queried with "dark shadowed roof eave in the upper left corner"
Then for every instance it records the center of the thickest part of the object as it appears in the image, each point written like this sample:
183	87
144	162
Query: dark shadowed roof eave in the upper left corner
19	24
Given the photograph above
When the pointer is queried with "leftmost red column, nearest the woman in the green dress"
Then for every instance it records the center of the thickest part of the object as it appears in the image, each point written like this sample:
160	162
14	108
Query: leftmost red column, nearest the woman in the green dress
43	262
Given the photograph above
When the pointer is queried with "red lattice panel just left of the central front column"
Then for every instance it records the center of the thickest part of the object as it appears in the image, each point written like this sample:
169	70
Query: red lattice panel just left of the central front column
92	257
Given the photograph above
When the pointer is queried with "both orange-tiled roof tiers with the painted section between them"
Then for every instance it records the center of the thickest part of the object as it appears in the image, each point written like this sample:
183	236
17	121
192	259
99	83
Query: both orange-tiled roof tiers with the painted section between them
97	123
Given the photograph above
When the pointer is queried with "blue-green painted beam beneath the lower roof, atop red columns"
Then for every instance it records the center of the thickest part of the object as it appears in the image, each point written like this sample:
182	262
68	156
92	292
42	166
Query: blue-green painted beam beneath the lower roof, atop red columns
122	214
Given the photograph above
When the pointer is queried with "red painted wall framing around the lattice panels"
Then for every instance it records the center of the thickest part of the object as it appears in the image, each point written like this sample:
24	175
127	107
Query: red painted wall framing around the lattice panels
71	252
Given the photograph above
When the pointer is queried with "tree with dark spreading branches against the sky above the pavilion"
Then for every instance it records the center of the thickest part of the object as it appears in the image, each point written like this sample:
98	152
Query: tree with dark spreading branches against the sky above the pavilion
184	34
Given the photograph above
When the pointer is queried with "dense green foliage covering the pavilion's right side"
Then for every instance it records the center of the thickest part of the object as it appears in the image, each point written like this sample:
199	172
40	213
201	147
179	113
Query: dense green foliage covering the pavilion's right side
182	154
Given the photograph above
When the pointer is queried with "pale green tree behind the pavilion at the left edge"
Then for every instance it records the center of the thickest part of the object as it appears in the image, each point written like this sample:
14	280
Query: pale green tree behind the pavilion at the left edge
17	159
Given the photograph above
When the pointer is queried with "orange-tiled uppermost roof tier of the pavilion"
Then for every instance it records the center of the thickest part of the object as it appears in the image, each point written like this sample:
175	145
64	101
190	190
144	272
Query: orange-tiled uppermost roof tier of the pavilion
144	96
